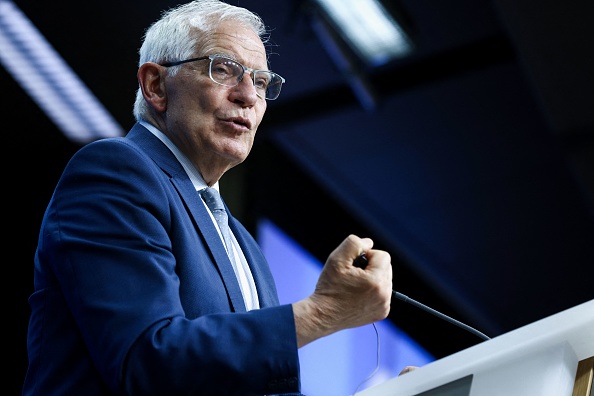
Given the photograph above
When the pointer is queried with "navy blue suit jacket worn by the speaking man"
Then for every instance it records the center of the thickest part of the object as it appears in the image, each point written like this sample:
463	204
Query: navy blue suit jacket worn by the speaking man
134	293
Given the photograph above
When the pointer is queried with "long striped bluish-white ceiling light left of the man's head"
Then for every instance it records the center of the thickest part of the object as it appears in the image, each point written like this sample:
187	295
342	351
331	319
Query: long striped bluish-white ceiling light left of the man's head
48	80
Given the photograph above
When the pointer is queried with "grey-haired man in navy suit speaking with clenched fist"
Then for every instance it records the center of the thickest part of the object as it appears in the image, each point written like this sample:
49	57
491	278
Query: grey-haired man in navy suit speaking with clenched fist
135	291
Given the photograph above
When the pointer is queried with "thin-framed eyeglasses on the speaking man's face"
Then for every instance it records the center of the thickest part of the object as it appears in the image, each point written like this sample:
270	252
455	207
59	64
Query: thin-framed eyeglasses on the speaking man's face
228	72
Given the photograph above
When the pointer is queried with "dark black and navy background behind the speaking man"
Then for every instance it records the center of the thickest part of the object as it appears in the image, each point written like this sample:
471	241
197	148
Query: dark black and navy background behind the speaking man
474	168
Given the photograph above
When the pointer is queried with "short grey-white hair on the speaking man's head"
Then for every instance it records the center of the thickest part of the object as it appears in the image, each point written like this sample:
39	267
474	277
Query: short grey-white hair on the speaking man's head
173	37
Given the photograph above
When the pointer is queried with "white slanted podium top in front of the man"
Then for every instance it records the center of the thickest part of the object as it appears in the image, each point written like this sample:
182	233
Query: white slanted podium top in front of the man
550	357
